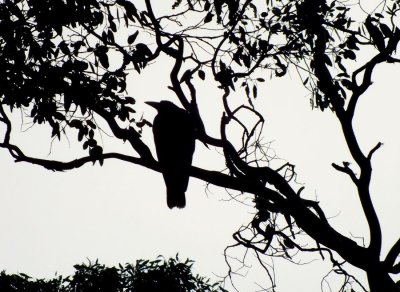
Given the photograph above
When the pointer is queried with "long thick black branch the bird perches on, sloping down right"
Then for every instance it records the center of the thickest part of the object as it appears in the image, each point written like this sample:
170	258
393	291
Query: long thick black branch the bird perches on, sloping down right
313	225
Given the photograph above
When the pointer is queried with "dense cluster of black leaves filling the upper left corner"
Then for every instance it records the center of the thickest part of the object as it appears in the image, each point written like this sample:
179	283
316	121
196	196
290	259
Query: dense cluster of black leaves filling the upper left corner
55	67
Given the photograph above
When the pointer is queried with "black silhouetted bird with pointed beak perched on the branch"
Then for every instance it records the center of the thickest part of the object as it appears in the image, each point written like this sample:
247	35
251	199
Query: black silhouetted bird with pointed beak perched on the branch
174	139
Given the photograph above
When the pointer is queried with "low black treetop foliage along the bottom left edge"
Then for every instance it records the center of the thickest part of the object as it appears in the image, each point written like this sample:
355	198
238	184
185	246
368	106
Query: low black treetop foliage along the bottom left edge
159	275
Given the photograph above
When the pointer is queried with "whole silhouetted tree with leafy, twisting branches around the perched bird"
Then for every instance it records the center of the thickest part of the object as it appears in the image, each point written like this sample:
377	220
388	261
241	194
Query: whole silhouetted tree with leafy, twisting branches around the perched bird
66	64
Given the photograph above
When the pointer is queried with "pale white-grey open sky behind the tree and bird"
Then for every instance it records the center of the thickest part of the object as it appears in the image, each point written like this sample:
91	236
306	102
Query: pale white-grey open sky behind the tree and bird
117	213
